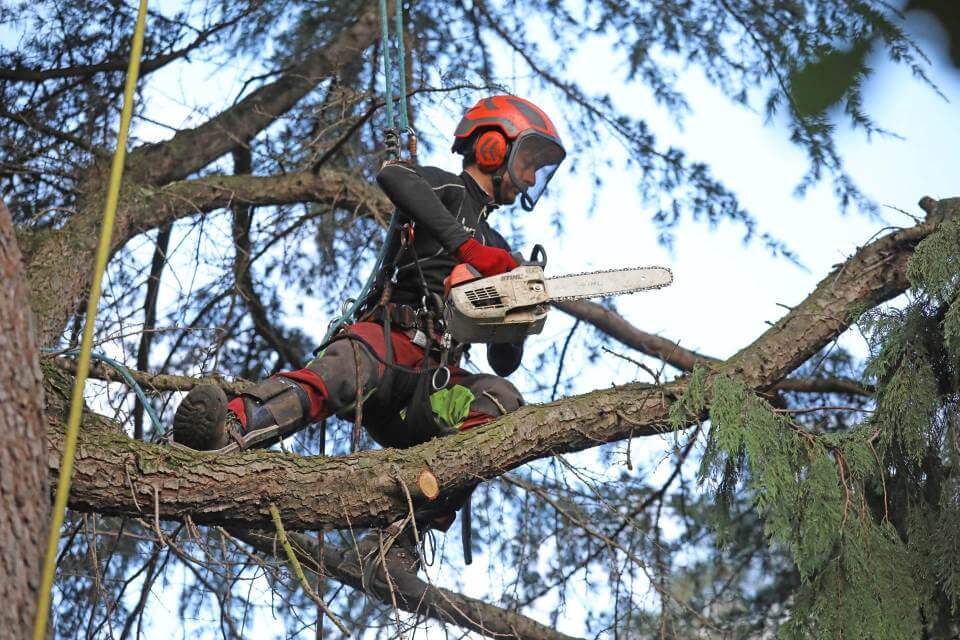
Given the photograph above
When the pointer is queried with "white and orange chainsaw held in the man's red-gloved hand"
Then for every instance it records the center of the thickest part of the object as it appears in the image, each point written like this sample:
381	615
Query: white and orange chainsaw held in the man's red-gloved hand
510	306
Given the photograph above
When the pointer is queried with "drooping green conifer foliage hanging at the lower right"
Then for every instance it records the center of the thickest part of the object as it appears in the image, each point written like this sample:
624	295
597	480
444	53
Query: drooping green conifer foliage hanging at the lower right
870	515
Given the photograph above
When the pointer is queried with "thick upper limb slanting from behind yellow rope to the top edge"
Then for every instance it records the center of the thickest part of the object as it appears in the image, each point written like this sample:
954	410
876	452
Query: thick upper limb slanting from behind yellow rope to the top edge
57	283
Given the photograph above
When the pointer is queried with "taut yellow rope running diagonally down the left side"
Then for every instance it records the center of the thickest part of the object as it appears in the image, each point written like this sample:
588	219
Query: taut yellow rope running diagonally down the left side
83	364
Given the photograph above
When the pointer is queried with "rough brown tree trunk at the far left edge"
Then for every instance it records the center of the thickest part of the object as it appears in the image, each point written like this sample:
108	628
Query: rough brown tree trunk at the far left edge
24	497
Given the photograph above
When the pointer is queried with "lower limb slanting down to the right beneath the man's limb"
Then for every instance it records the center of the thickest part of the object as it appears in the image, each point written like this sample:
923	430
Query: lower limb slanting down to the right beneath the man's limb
413	594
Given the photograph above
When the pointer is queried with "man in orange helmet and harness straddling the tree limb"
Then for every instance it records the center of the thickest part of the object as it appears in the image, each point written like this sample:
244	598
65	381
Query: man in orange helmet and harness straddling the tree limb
392	363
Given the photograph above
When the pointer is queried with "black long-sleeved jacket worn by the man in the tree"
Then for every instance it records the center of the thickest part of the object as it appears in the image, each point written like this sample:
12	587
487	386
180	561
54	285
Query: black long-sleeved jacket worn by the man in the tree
446	210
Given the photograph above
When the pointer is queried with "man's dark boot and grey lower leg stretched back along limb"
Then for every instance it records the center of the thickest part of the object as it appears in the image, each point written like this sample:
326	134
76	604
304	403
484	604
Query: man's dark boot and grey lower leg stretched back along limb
264	414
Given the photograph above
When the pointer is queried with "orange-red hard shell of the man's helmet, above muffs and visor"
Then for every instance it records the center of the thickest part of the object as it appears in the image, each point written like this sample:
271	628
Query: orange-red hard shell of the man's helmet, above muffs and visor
510	114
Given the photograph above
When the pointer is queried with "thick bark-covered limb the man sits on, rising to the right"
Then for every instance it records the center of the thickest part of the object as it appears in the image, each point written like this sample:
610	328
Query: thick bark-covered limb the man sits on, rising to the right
367	489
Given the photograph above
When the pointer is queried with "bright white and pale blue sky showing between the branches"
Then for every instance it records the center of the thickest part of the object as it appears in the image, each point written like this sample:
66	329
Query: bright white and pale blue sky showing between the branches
724	291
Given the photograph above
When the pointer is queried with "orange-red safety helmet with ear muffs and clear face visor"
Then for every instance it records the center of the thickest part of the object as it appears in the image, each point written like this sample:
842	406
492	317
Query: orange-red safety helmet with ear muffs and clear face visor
507	134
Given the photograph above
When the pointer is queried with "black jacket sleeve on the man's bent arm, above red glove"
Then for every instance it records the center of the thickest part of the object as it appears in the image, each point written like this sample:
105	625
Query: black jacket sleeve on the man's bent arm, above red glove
415	196
